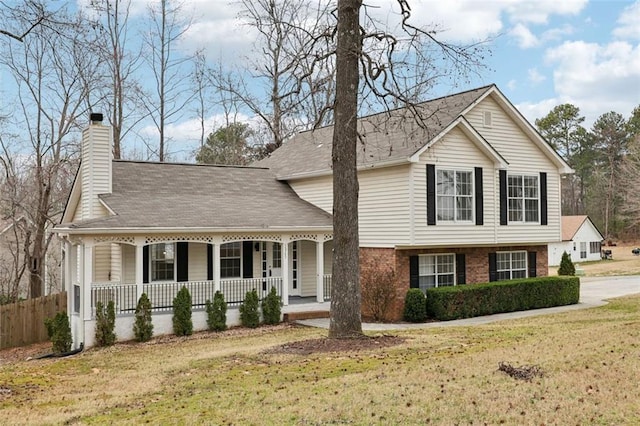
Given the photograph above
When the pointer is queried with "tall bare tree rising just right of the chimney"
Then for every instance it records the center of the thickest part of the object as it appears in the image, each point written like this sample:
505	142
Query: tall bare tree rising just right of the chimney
124	94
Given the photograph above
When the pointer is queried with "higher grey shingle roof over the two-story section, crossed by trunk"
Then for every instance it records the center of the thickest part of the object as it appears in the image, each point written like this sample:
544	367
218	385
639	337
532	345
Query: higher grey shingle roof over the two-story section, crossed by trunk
385	137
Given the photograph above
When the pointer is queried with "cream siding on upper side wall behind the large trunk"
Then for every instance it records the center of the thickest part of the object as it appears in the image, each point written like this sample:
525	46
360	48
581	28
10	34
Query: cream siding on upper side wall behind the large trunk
383	206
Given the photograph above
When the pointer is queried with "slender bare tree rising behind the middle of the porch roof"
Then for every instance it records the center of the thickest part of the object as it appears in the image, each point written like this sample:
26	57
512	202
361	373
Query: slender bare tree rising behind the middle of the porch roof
172	92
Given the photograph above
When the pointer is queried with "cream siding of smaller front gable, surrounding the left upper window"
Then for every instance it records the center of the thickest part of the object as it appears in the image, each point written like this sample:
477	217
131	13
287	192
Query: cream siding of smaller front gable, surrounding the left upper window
454	152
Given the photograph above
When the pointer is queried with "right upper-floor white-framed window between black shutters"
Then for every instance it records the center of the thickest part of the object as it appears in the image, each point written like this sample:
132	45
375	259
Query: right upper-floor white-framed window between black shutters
523	198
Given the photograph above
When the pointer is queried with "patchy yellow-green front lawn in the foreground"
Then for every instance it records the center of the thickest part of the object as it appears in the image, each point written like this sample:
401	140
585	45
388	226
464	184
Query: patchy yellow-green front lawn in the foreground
590	359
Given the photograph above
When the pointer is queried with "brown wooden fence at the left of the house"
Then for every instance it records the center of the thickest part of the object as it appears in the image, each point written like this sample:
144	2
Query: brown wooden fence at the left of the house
22	323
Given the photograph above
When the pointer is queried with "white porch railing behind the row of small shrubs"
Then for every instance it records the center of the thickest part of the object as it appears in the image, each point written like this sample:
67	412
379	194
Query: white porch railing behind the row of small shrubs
161	294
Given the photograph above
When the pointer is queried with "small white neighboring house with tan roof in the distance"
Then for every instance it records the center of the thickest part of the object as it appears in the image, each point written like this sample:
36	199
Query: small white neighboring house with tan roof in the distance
580	238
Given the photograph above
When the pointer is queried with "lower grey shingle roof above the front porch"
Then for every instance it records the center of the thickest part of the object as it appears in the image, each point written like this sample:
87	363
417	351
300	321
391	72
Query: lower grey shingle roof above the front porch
166	195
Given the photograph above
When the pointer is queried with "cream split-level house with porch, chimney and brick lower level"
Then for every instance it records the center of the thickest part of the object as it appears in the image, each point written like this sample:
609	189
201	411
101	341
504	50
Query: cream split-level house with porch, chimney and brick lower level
468	194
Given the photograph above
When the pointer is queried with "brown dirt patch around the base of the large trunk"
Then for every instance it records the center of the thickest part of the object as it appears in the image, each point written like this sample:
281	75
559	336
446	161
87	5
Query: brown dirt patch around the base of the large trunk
323	345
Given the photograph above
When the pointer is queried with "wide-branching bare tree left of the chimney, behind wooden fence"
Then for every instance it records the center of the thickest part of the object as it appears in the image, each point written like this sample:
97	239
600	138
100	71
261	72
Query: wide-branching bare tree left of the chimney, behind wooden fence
50	71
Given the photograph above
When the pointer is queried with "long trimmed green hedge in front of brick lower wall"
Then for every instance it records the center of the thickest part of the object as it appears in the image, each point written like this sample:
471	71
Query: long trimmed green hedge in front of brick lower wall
472	300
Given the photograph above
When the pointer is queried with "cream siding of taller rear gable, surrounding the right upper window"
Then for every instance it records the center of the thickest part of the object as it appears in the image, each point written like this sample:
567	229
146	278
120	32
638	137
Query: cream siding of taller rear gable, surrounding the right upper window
524	157
